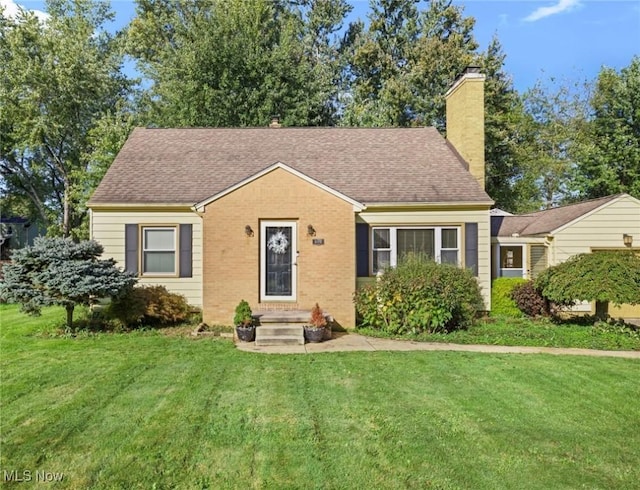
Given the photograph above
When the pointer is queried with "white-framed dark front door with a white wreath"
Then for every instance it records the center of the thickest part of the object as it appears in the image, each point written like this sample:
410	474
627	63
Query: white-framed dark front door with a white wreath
278	251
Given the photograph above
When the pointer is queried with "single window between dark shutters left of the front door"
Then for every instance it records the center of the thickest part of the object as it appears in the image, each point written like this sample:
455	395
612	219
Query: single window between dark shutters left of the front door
159	250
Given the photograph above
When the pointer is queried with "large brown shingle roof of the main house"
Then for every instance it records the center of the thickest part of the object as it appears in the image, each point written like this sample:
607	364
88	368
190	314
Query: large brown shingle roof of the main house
369	165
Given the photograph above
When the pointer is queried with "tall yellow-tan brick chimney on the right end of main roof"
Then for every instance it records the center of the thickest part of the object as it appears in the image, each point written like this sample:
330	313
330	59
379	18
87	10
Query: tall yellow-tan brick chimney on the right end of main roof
465	119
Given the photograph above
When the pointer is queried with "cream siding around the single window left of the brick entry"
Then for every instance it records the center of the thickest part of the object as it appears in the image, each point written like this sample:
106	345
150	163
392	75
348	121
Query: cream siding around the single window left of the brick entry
108	228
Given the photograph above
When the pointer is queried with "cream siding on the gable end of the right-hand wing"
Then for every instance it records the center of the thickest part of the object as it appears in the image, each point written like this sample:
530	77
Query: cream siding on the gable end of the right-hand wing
601	229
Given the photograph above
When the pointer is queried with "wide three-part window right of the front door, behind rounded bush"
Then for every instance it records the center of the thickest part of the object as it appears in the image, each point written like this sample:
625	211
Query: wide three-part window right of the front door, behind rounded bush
390	244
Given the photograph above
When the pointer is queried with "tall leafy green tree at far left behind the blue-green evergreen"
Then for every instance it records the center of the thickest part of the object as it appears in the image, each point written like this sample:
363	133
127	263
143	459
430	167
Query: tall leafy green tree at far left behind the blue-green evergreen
59	79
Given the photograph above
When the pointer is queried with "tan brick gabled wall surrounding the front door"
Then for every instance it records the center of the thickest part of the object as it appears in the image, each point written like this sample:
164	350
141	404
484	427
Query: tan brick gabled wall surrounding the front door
231	262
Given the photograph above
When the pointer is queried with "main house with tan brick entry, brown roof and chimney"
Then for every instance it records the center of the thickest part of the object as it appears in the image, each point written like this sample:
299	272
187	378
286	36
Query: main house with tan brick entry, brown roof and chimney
287	217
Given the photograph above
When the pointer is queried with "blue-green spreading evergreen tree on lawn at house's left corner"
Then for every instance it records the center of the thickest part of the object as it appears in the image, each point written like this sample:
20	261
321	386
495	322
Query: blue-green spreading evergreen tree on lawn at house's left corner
58	271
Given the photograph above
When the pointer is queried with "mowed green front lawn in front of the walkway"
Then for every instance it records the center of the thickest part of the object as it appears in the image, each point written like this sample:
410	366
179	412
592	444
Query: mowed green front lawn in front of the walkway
148	410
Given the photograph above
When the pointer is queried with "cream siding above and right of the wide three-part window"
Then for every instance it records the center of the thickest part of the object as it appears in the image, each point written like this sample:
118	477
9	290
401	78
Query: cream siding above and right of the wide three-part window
445	217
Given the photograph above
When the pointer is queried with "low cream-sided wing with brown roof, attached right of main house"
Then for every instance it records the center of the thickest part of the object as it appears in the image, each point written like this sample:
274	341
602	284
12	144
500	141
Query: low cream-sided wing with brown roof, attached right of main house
524	245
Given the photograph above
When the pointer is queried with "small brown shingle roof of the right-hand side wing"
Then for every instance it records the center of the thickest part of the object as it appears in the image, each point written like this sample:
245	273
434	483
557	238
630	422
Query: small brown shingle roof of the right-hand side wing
548	220
